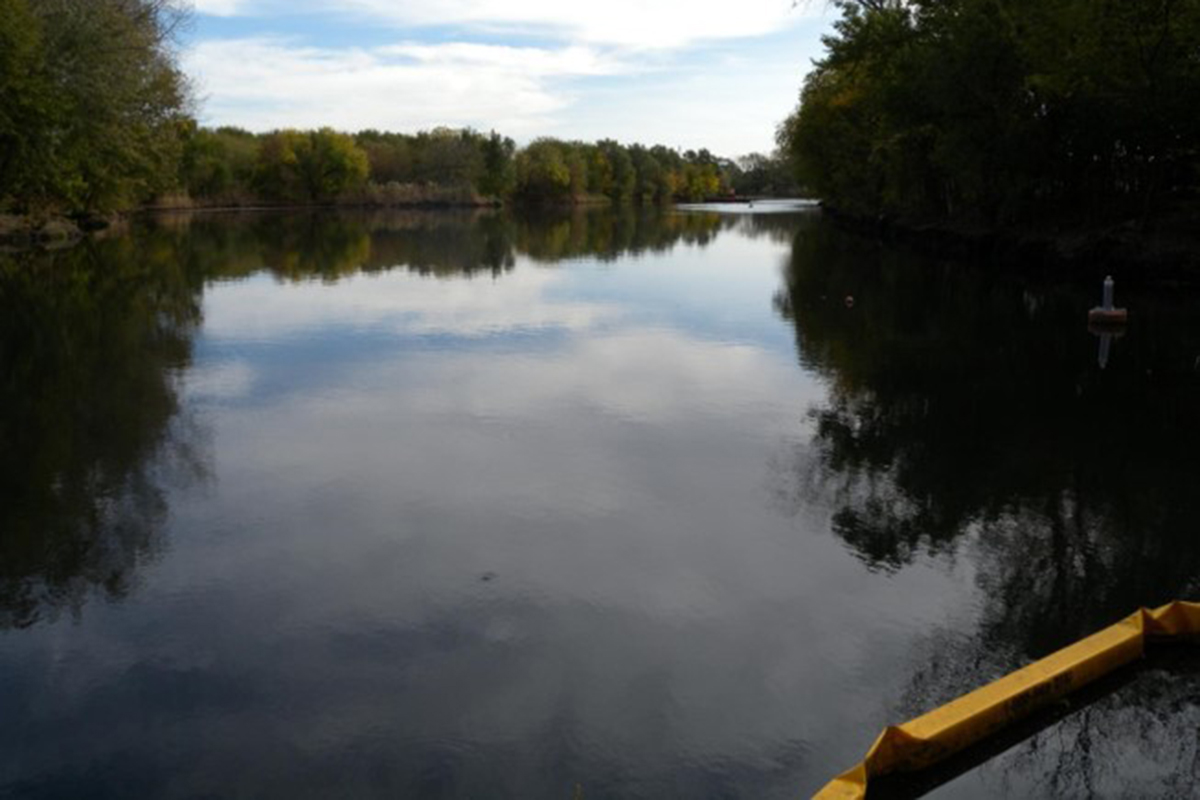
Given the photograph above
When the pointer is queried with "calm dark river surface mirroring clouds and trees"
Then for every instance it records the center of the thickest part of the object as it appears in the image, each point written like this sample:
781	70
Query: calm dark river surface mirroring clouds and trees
599	506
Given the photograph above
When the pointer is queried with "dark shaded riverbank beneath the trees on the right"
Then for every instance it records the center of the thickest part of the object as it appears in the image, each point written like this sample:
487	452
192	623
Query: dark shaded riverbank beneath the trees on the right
1167	249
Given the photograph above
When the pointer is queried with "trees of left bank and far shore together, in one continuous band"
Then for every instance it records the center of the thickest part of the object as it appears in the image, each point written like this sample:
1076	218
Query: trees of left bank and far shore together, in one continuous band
97	116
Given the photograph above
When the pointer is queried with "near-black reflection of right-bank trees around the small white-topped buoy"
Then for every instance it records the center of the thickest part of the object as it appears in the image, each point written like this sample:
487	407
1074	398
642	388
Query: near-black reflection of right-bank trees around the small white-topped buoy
968	420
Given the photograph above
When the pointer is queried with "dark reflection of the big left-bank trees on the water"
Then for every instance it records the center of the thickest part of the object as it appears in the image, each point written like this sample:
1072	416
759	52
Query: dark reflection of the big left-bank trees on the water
92	341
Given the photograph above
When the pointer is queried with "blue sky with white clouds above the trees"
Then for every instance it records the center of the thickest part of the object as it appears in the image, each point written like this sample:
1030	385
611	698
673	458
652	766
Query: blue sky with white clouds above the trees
703	74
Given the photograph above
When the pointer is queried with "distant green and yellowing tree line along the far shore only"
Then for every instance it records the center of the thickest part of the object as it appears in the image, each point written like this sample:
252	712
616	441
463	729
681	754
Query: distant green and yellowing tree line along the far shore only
232	166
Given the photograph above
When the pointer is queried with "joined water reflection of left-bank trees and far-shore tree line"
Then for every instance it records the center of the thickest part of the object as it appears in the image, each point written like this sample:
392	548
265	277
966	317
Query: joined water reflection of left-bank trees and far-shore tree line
94	340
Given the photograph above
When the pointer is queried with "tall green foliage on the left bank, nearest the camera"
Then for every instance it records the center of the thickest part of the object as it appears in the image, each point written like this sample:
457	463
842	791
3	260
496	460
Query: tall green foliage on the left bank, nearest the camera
92	103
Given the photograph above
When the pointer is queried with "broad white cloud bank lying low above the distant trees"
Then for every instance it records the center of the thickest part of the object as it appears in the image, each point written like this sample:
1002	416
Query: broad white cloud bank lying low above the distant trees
268	83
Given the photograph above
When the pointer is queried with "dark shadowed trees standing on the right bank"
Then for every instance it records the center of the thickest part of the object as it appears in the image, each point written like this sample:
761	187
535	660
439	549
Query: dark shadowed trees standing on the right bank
1005	112
